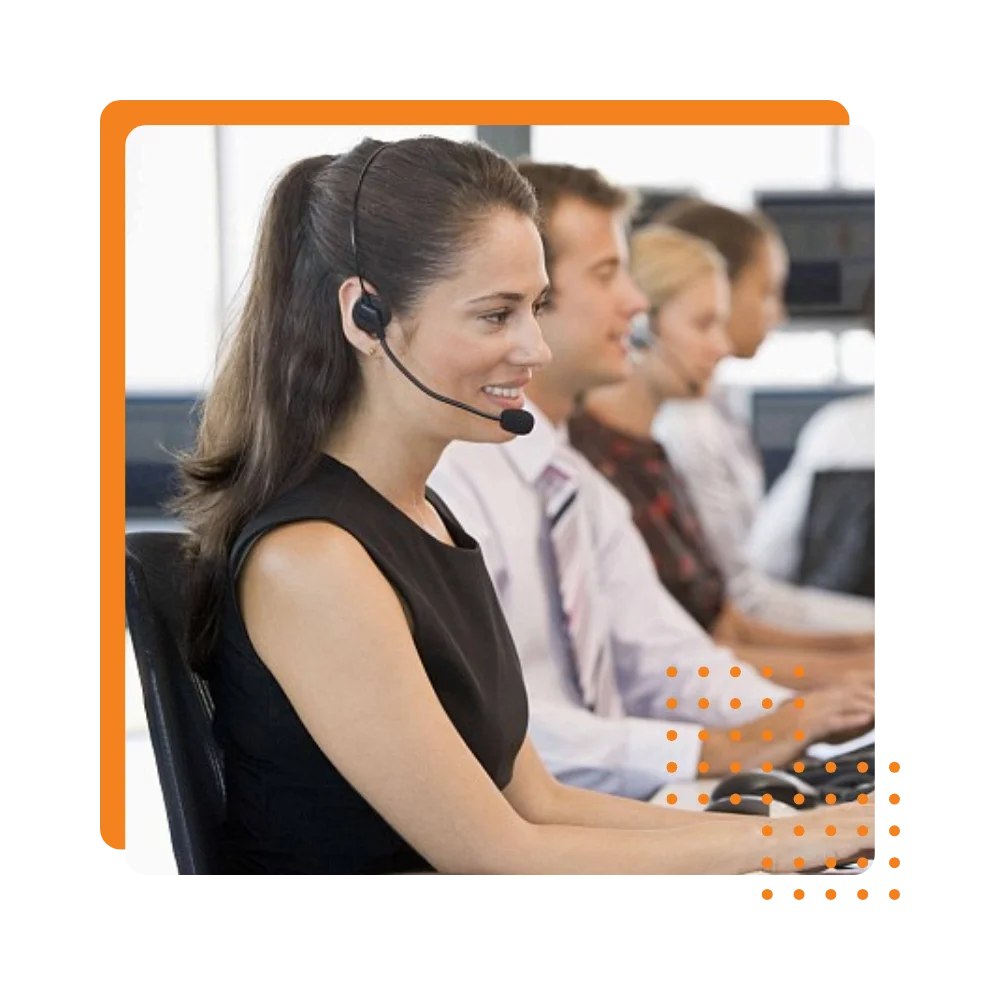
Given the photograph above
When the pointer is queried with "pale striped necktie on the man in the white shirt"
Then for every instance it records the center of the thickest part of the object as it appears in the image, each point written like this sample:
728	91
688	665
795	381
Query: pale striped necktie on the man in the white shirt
584	624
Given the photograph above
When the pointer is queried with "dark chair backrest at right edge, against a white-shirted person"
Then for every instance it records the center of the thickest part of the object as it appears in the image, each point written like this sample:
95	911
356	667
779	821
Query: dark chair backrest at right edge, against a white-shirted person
840	549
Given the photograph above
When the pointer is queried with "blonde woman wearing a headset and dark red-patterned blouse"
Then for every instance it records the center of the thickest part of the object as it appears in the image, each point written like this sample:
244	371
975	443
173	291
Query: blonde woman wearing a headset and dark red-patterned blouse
678	349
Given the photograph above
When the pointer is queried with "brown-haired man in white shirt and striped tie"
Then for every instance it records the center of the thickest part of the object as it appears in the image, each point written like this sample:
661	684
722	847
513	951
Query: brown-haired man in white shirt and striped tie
666	704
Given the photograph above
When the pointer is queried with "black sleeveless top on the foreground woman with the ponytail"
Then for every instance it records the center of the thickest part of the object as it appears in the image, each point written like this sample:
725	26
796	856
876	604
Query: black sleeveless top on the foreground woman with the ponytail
290	814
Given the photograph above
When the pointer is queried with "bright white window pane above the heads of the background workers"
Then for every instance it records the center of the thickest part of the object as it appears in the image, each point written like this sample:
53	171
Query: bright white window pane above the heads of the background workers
724	163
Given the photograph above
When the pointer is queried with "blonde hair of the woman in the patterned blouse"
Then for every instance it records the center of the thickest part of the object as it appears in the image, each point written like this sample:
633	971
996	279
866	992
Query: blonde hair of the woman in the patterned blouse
665	261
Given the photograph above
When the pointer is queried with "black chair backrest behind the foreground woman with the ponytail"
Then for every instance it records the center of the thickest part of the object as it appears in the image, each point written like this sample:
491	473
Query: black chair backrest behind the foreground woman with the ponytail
178	705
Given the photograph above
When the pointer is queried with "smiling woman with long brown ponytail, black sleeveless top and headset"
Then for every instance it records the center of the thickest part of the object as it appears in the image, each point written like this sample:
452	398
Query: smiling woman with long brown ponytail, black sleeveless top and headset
369	700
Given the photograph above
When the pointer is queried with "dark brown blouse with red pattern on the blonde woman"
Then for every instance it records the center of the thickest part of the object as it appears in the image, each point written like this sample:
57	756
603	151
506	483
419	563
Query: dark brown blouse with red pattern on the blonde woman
662	511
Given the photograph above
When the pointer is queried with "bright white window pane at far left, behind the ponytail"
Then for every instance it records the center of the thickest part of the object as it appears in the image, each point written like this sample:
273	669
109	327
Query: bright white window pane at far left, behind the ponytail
171	257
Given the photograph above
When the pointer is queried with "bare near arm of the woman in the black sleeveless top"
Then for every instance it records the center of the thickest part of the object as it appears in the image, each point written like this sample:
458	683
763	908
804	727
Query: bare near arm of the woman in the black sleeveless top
331	630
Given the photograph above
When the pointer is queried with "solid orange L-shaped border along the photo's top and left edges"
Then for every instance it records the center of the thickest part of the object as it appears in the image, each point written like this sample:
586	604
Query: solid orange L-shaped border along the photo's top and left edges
119	117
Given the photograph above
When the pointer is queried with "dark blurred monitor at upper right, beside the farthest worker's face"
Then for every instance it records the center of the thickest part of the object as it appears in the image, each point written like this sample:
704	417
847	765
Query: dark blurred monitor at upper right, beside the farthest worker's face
833	248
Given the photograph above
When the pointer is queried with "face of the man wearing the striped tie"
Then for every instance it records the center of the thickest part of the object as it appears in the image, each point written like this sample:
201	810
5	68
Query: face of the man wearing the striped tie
594	300
